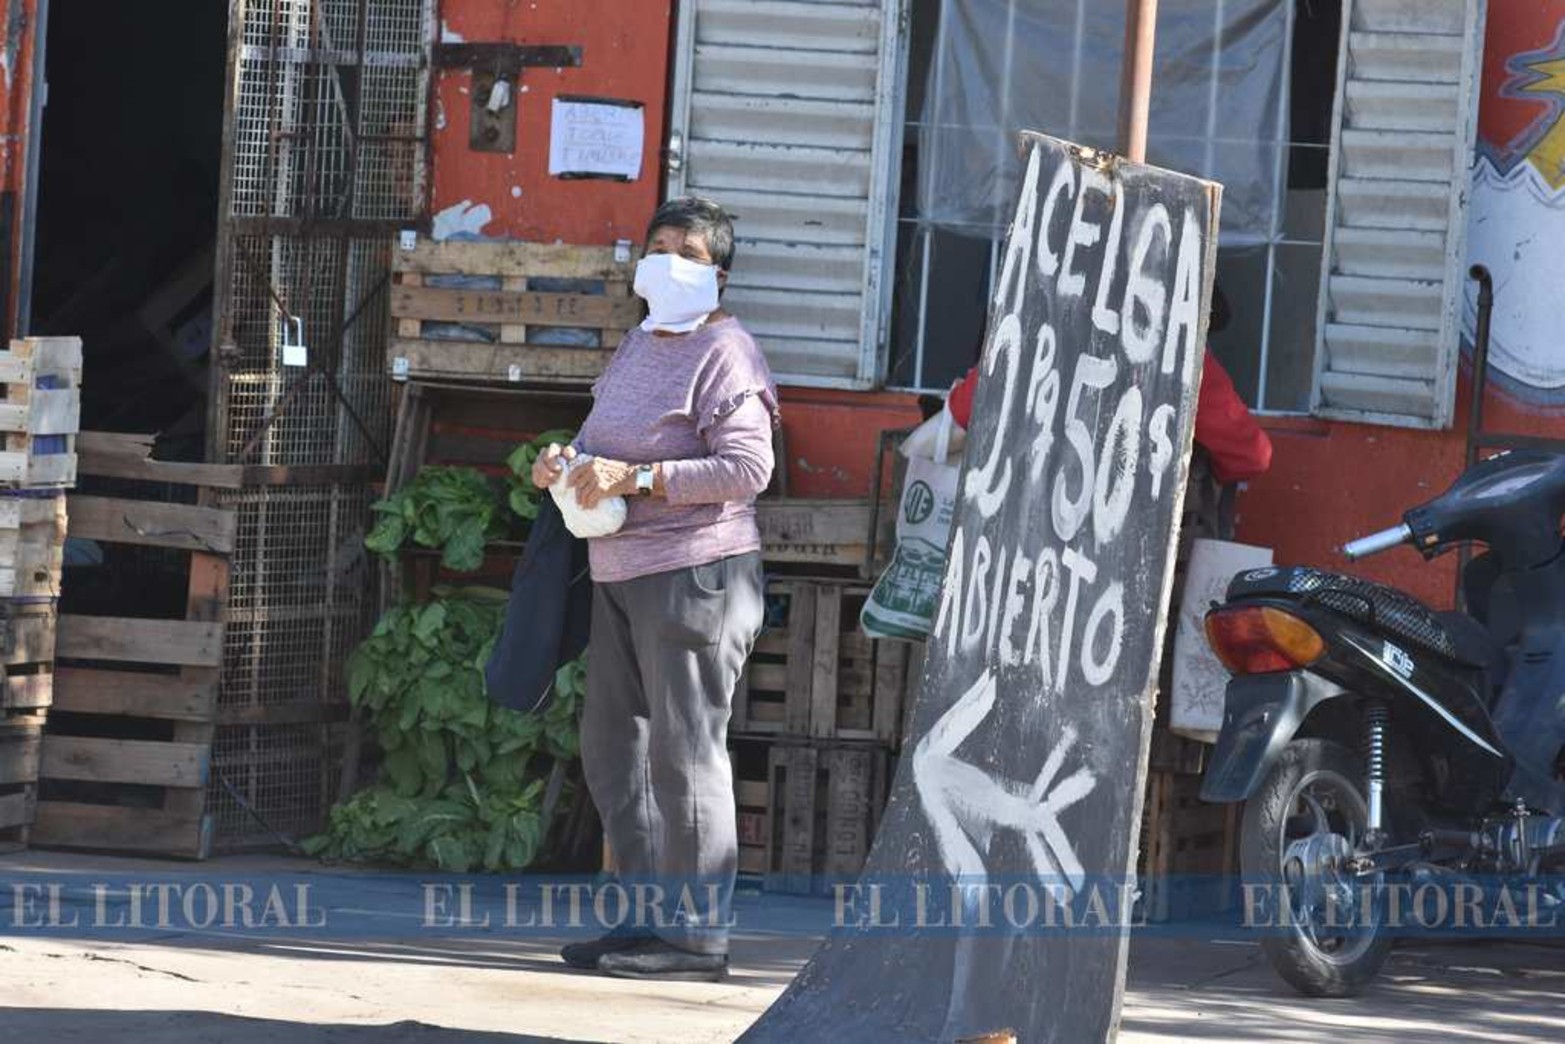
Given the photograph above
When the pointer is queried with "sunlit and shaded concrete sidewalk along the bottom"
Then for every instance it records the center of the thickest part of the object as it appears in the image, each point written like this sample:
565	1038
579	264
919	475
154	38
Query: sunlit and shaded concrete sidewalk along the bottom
392	981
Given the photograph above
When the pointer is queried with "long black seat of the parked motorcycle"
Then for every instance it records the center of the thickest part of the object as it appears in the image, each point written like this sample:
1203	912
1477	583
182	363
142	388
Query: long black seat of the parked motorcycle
1384	608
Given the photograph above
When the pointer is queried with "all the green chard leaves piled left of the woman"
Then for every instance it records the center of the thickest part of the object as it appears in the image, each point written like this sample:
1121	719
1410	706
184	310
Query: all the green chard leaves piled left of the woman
462	780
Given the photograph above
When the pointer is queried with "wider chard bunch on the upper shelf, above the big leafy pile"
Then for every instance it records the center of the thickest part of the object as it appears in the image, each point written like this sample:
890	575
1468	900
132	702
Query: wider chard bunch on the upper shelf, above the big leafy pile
453	509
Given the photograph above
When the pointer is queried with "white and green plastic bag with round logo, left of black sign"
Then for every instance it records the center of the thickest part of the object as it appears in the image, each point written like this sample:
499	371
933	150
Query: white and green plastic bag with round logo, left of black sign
908	592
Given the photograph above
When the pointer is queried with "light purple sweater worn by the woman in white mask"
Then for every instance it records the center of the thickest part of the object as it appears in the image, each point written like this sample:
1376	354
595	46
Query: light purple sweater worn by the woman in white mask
703	405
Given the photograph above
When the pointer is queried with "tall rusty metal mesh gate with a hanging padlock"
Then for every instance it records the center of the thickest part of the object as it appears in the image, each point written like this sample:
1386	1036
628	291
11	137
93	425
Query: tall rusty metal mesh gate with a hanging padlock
326	164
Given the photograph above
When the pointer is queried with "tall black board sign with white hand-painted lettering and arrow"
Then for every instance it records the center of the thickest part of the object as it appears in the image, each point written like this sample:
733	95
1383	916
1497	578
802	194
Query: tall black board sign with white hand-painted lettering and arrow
999	887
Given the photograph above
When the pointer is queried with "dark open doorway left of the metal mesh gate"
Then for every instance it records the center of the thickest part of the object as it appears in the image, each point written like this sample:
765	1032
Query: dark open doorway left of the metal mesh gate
128	212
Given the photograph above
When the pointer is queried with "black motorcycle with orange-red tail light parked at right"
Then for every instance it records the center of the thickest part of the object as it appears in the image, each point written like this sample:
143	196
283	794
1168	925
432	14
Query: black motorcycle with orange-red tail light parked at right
1375	740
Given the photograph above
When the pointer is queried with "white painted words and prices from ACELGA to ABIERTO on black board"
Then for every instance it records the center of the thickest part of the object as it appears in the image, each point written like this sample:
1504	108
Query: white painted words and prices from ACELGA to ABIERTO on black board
1040	603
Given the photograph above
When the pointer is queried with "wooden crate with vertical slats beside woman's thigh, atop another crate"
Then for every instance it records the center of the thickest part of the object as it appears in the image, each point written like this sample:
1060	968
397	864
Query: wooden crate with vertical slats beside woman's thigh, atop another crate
816	675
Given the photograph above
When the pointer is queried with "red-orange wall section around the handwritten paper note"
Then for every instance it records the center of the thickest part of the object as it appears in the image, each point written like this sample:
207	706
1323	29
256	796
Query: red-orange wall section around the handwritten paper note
625	56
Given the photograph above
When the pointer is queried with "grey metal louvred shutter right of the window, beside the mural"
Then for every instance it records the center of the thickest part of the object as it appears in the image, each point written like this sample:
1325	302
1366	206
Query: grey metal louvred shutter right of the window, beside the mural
1397	221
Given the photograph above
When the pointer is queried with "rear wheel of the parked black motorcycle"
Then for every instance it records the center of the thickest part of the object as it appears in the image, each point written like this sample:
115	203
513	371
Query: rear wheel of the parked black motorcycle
1297	838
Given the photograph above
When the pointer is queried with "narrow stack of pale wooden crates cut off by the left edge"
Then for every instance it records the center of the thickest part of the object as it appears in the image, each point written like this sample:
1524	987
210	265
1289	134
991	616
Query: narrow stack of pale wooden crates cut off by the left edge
40	419
